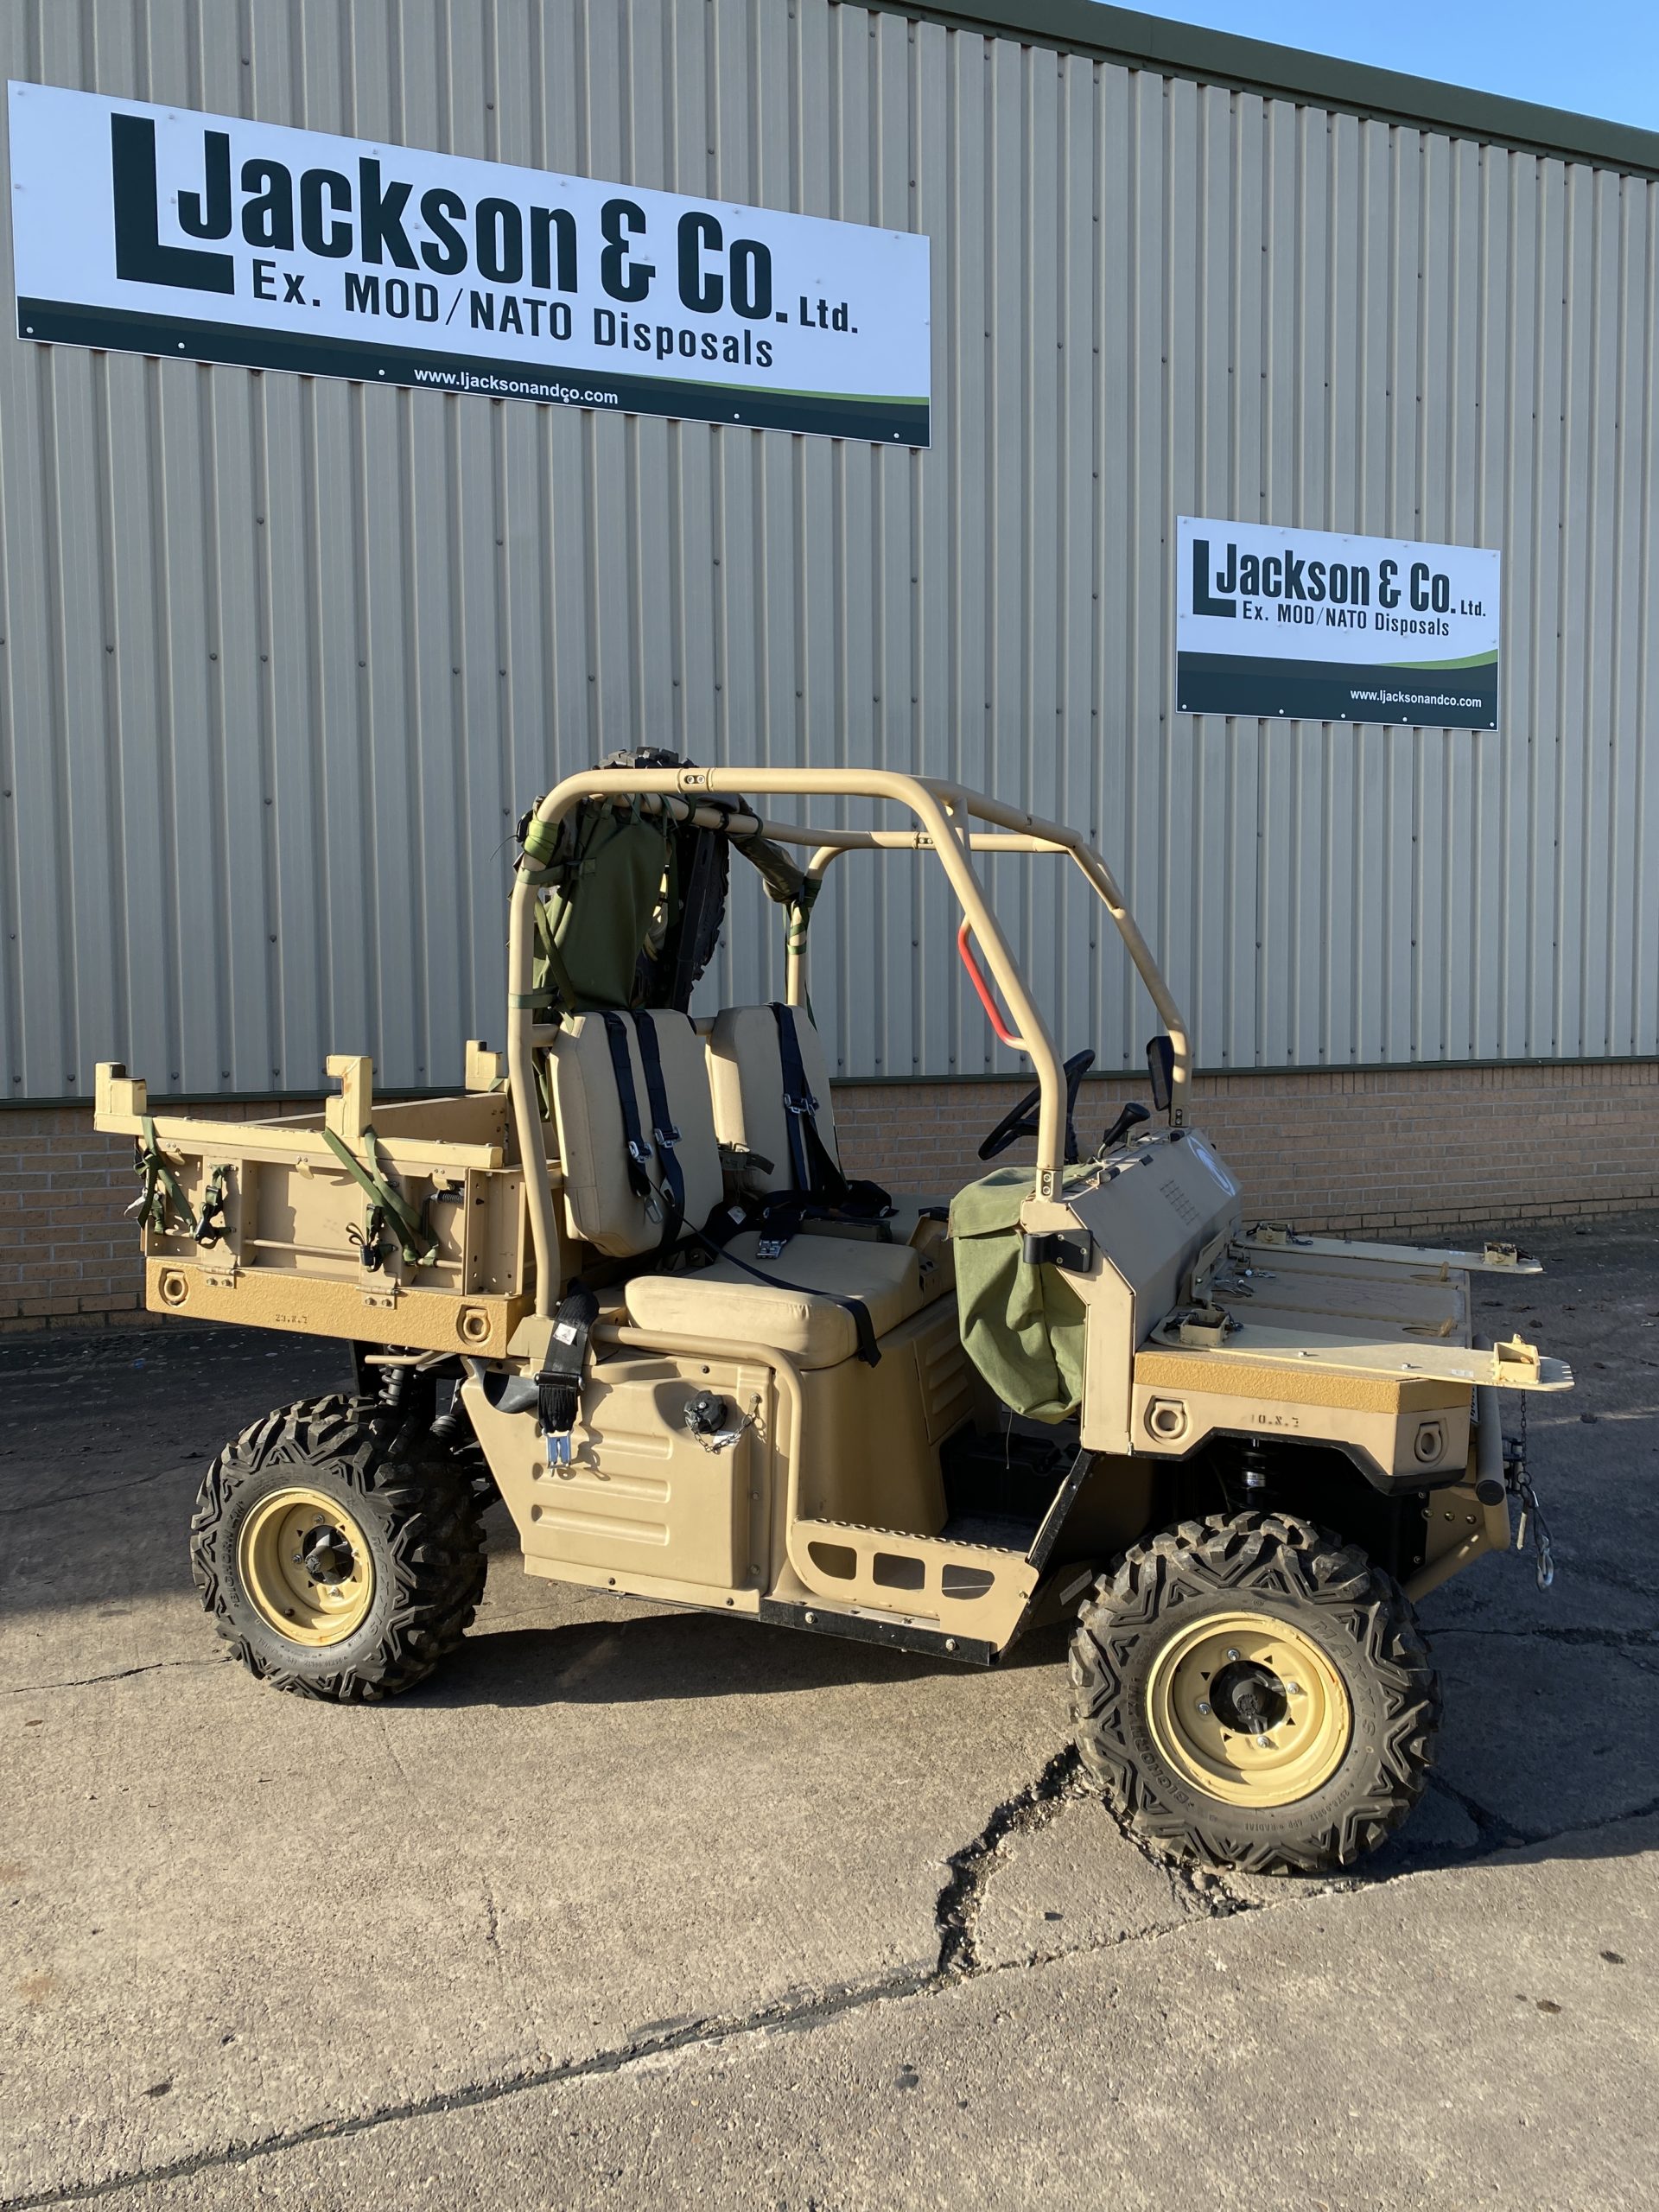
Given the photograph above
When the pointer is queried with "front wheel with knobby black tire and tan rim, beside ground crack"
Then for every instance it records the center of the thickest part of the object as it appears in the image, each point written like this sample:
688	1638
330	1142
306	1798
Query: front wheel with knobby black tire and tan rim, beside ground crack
1313	1638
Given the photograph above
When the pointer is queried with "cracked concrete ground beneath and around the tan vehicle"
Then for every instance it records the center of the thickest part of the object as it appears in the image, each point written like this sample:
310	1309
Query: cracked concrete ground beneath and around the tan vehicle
643	1908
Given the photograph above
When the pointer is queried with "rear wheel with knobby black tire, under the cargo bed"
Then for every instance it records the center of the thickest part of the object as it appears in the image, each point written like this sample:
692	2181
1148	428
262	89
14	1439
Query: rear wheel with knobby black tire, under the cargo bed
362	1499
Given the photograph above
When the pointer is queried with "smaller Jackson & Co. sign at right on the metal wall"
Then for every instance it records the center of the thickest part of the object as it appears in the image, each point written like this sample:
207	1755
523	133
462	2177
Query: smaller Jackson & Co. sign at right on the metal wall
1319	627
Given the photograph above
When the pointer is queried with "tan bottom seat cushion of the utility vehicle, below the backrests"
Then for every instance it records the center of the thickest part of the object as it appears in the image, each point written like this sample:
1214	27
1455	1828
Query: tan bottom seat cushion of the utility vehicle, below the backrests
720	1302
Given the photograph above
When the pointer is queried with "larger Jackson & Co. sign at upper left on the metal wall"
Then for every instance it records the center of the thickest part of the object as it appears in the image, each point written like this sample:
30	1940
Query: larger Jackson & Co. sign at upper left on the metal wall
163	231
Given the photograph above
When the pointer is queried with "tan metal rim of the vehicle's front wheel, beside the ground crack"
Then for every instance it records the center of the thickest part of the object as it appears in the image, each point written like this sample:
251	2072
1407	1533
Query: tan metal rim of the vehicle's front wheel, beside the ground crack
1249	1709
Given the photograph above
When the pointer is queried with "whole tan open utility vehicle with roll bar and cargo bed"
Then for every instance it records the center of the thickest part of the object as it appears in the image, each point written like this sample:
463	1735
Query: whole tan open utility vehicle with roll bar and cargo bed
625	1286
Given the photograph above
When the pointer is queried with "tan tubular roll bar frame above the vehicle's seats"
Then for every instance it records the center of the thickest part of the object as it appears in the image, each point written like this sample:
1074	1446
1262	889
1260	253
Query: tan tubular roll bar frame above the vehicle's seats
941	813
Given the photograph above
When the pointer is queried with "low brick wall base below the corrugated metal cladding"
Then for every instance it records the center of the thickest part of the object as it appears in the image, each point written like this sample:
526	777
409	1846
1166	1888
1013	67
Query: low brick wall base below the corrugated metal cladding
1410	1149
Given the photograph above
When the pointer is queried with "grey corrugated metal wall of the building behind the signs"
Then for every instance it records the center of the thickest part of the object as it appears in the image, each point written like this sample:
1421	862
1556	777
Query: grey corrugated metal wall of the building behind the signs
284	660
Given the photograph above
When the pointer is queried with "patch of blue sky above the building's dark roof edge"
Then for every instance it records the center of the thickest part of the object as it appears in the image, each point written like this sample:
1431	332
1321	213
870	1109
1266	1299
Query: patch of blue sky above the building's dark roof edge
1596	56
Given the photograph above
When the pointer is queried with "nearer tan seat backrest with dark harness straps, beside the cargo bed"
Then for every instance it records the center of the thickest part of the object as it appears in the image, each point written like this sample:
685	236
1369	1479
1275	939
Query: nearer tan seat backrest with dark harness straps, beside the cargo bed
601	1202
